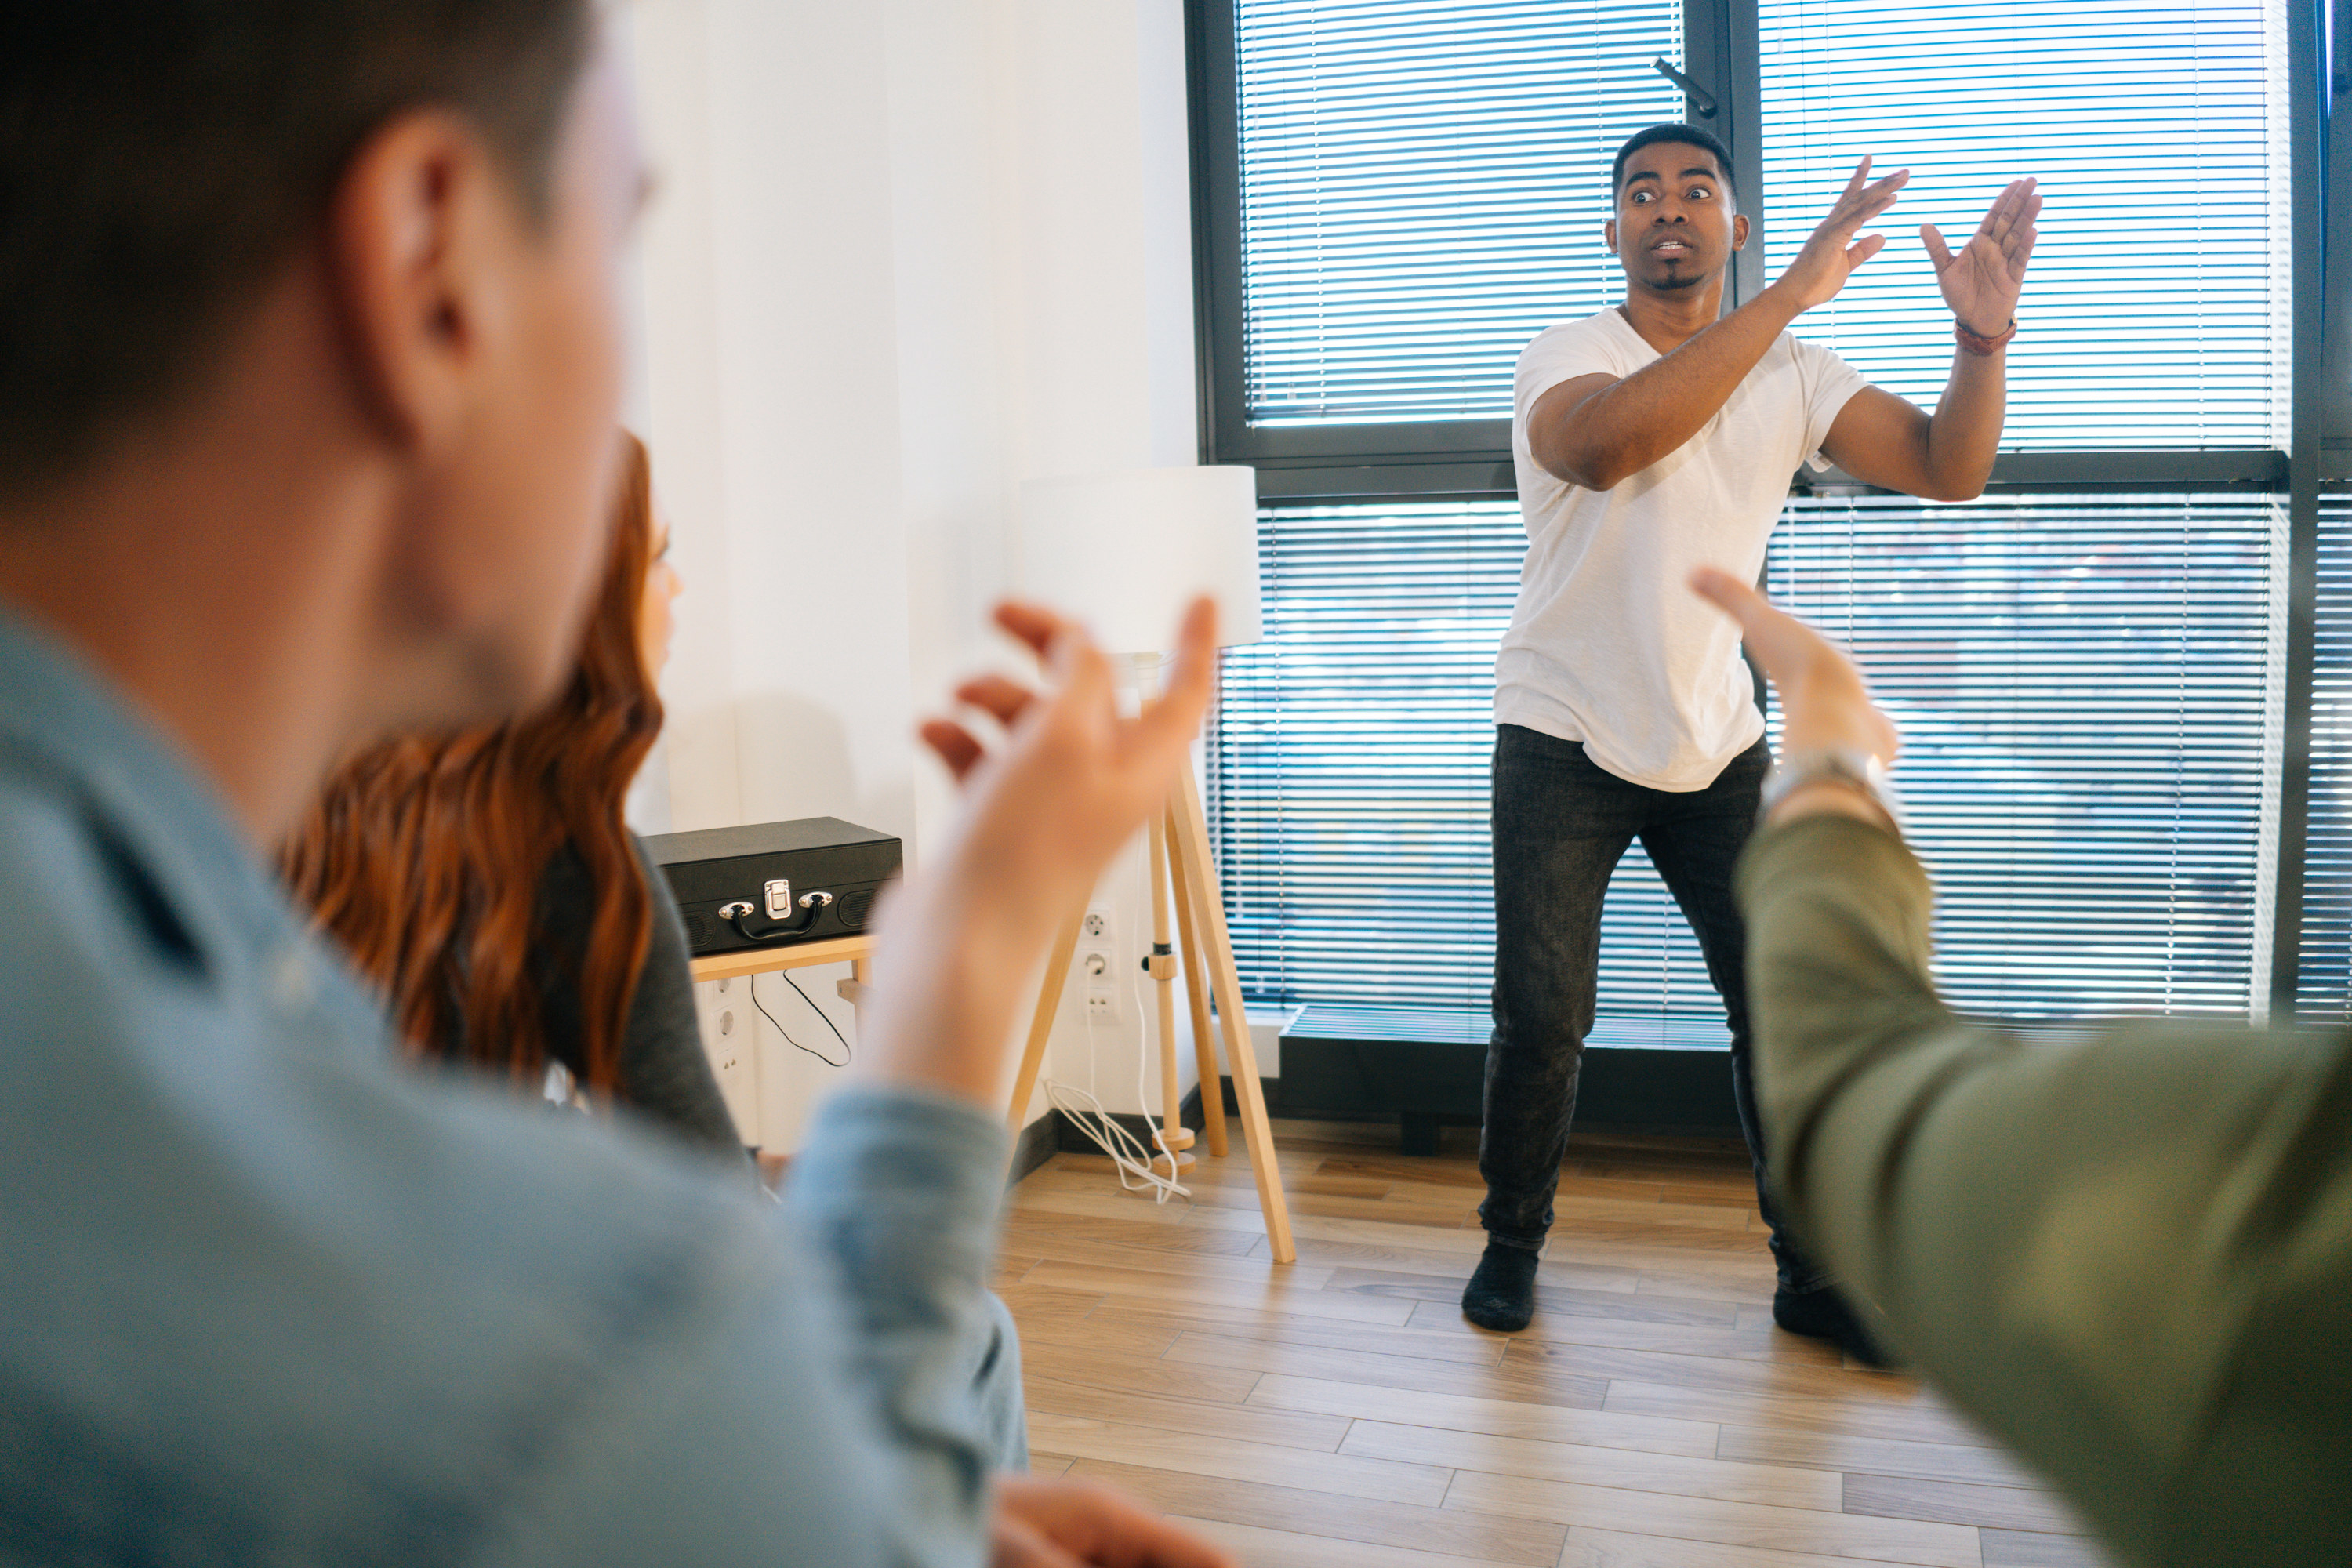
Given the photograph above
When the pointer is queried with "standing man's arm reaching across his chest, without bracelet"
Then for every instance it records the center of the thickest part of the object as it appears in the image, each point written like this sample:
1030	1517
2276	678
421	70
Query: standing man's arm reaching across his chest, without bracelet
1598	431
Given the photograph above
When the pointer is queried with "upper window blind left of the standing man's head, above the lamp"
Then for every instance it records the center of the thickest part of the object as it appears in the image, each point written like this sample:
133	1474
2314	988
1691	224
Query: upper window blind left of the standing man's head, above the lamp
1424	189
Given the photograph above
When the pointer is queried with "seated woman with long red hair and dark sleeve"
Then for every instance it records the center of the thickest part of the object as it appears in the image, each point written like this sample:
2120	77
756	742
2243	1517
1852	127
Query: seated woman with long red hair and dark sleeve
488	887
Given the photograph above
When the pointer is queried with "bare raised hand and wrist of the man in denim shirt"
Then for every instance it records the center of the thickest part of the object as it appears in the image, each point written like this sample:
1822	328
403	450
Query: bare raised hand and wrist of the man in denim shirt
1043	815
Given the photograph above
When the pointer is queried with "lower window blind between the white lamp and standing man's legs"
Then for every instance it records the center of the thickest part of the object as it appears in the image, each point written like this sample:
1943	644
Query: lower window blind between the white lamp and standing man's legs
1349	775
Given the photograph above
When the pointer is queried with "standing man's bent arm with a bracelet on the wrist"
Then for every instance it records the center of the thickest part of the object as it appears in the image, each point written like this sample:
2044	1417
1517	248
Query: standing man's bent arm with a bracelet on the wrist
1949	457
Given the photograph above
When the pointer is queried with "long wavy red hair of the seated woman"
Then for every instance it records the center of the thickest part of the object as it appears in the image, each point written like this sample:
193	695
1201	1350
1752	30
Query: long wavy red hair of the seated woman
425	855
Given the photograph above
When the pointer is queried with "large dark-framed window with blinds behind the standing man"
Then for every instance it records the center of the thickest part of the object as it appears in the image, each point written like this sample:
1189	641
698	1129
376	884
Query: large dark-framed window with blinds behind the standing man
2097	662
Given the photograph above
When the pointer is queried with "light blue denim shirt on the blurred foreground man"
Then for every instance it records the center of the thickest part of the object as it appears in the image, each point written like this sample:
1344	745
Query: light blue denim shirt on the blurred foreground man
274	1296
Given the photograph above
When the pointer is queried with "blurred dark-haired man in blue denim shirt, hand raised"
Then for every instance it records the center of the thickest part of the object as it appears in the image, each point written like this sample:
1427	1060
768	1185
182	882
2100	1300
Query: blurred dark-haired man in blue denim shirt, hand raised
309	375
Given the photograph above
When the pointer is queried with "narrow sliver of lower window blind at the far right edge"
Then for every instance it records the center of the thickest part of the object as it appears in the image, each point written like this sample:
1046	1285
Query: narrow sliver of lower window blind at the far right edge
2325	963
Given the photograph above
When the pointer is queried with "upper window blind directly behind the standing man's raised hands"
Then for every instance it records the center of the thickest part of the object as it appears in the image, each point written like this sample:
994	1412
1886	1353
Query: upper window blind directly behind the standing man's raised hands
2158	304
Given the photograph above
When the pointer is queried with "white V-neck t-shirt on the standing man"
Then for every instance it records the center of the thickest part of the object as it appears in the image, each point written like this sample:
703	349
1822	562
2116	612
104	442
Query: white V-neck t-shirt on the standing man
1608	645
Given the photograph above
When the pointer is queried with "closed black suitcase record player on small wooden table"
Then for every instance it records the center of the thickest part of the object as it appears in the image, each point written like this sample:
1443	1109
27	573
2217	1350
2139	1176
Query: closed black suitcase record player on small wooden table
770	885
